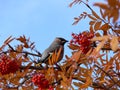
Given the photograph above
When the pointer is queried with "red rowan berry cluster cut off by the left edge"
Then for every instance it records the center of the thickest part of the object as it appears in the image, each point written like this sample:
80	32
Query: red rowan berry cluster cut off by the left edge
7	65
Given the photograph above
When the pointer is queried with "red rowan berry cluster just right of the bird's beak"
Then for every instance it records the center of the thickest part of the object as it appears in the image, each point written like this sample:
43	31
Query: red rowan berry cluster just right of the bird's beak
83	40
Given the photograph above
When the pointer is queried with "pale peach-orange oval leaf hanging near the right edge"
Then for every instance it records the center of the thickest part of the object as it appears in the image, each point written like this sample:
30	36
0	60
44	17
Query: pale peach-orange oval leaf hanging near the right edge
114	43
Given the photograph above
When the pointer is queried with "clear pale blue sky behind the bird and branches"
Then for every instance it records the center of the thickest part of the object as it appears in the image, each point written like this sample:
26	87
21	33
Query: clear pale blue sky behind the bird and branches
40	20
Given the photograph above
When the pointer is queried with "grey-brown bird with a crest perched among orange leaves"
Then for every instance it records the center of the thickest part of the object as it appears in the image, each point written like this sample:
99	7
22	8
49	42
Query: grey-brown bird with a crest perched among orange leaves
58	43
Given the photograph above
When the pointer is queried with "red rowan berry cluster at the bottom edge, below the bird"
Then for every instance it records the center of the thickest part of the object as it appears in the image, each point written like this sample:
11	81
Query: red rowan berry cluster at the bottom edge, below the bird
40	81
